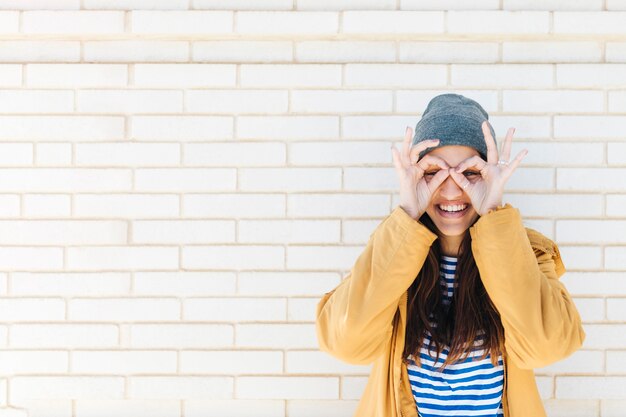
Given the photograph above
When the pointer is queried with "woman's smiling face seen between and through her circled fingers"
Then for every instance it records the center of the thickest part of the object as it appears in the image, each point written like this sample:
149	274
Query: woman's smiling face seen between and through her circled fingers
450	207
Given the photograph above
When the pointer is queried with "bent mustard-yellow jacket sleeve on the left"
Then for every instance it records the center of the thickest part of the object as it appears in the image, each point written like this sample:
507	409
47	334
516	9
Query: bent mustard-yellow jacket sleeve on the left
354	321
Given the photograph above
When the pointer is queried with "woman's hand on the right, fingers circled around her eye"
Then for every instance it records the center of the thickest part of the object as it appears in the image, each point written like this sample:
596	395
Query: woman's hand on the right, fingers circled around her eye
486	191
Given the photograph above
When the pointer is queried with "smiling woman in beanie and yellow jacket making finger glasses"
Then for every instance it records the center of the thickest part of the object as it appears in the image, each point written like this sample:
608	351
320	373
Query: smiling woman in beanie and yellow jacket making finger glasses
452	300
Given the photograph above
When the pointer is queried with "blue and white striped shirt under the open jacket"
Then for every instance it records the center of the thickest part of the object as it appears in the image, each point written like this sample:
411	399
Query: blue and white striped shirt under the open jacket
469	387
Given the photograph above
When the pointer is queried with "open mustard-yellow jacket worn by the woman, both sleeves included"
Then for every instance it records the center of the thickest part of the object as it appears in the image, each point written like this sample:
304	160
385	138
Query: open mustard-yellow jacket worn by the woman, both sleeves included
363	319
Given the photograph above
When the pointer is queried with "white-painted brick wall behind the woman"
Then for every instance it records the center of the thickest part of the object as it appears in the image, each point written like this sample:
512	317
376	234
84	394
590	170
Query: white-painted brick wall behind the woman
183	179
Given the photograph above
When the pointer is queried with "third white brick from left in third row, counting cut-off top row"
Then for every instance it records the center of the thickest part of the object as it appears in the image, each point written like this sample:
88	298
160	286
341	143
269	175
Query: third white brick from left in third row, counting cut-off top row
242	51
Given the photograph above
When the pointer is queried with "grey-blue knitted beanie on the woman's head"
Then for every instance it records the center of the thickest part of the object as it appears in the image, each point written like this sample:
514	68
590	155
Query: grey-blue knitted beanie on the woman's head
454	120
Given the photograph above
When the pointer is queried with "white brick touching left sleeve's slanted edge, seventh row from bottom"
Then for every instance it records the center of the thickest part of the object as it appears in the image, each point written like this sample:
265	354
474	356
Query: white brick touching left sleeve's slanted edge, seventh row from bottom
335	257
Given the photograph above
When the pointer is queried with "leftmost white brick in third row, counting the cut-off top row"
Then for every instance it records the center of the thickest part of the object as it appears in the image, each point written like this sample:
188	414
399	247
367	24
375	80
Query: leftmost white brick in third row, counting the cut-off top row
39	51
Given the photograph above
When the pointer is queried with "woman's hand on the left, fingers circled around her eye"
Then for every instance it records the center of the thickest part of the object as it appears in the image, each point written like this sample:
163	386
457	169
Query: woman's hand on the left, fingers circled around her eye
416	189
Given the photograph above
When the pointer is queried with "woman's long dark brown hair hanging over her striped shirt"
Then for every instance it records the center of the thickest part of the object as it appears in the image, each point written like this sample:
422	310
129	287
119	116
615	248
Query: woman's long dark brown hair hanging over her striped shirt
470	313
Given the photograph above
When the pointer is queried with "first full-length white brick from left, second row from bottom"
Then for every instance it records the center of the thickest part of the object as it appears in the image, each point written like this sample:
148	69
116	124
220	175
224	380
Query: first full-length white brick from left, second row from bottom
66	387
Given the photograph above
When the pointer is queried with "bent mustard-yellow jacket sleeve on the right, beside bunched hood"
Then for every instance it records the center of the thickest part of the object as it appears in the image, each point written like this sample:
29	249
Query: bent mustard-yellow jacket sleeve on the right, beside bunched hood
520	269
